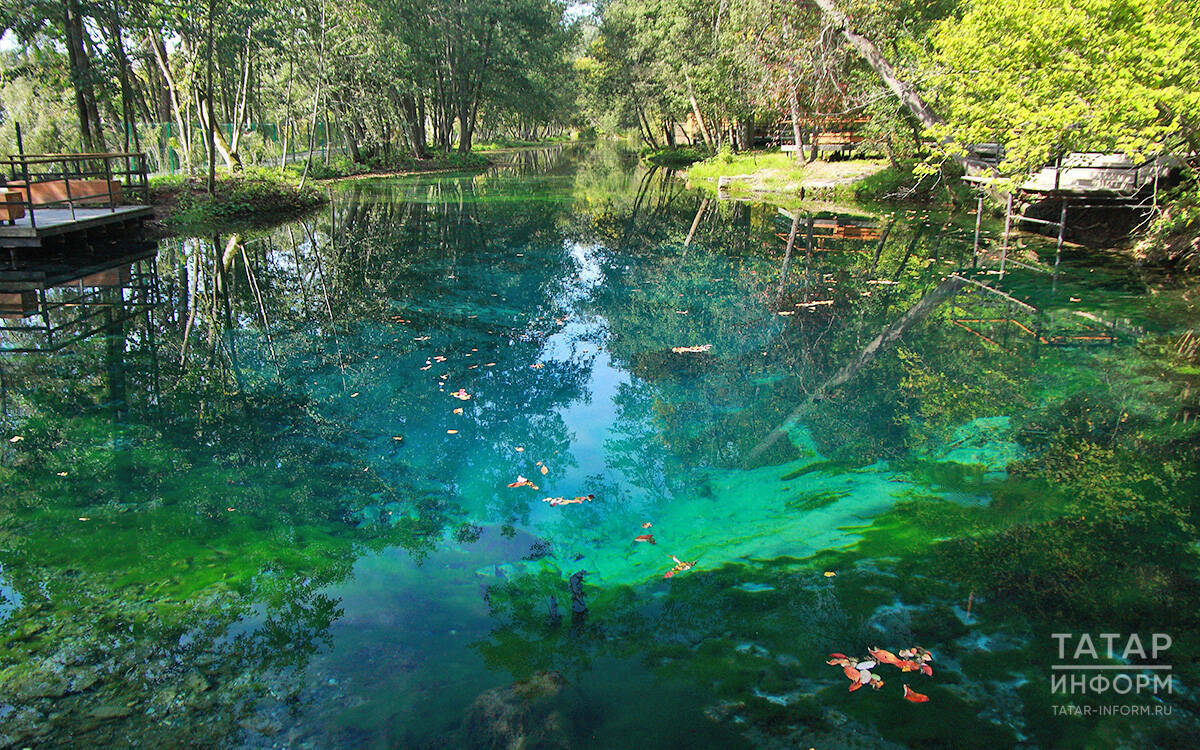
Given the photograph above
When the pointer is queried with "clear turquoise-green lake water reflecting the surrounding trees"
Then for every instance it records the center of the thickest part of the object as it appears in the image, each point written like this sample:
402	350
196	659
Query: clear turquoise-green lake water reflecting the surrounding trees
254	513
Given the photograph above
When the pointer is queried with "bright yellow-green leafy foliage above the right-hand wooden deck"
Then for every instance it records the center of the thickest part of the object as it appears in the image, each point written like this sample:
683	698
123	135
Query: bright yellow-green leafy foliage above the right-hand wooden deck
1049	79
